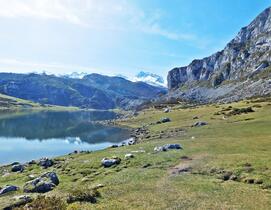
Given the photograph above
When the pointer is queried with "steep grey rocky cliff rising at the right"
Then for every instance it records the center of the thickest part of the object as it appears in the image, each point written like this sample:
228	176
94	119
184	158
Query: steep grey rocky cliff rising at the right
241	70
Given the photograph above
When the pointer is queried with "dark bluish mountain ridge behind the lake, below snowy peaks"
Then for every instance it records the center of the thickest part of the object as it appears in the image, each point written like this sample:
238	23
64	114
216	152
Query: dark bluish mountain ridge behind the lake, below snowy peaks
92	91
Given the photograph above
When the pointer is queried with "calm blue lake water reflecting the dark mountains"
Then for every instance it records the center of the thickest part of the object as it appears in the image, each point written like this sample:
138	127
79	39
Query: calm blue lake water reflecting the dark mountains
26	135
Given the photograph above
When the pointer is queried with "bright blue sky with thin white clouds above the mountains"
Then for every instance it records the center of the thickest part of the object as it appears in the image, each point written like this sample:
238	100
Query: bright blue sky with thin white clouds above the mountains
116	36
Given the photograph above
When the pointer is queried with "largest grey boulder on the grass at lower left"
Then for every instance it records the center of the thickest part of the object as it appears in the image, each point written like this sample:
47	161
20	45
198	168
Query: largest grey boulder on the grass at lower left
42	184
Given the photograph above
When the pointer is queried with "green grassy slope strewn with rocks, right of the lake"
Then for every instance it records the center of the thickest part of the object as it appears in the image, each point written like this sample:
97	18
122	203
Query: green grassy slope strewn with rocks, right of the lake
227	144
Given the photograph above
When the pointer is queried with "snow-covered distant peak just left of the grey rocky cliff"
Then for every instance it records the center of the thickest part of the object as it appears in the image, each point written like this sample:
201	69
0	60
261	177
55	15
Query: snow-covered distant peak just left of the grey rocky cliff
150	78
